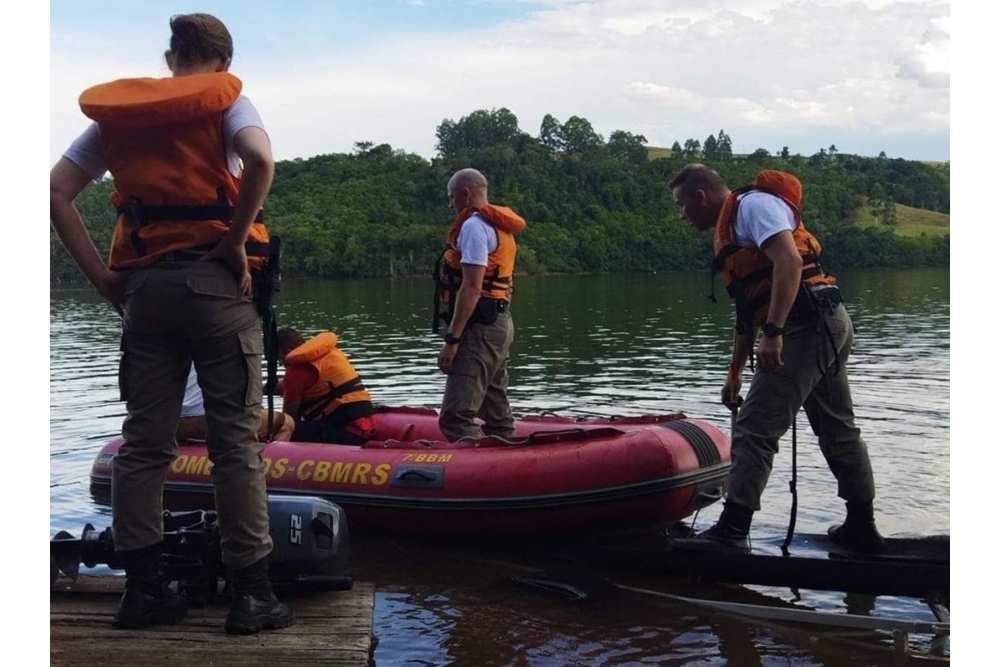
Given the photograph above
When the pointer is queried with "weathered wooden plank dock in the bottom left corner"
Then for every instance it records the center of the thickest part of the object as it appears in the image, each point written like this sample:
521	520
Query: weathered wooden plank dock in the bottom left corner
332	628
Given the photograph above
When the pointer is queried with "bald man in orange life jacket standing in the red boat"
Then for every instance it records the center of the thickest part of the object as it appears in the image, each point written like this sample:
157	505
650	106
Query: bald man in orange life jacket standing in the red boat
476	287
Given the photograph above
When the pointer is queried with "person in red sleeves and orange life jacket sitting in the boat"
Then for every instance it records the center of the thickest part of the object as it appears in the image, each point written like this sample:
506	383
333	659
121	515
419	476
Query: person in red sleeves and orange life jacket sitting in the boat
322	391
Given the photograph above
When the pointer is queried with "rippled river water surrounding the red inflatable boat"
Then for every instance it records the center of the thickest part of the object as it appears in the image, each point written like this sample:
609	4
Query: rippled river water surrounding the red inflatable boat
592	345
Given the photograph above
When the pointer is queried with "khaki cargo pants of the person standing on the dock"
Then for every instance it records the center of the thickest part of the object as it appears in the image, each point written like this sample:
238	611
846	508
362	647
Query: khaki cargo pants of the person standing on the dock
175	313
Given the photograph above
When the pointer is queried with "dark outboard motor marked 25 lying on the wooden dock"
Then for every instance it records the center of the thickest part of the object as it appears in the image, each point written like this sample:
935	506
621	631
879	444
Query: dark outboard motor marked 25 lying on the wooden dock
311	548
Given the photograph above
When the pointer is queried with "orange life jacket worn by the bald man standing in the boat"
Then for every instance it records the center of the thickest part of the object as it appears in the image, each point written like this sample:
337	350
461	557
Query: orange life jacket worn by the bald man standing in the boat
498	282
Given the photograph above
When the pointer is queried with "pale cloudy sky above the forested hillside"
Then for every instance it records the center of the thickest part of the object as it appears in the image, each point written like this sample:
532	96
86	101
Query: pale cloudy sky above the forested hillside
863	75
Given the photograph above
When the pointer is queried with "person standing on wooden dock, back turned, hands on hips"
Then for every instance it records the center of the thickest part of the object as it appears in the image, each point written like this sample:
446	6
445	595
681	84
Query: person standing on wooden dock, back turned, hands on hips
192	166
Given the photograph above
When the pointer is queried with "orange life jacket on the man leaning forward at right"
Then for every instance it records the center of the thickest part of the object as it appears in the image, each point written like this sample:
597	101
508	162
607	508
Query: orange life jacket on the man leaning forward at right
746	271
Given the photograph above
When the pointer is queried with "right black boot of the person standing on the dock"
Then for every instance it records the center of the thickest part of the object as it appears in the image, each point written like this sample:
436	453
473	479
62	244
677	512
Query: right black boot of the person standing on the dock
254	607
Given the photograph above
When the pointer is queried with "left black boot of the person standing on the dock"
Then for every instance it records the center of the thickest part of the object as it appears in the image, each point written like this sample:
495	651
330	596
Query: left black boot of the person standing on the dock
148	600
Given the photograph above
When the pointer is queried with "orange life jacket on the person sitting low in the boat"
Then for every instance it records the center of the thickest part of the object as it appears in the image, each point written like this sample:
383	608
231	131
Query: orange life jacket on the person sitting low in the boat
337	389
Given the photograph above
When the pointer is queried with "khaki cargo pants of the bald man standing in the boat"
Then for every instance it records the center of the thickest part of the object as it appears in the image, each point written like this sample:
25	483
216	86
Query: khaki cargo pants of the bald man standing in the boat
477	384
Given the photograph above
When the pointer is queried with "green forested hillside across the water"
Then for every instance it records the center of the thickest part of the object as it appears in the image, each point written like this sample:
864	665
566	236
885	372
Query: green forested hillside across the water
592	204
